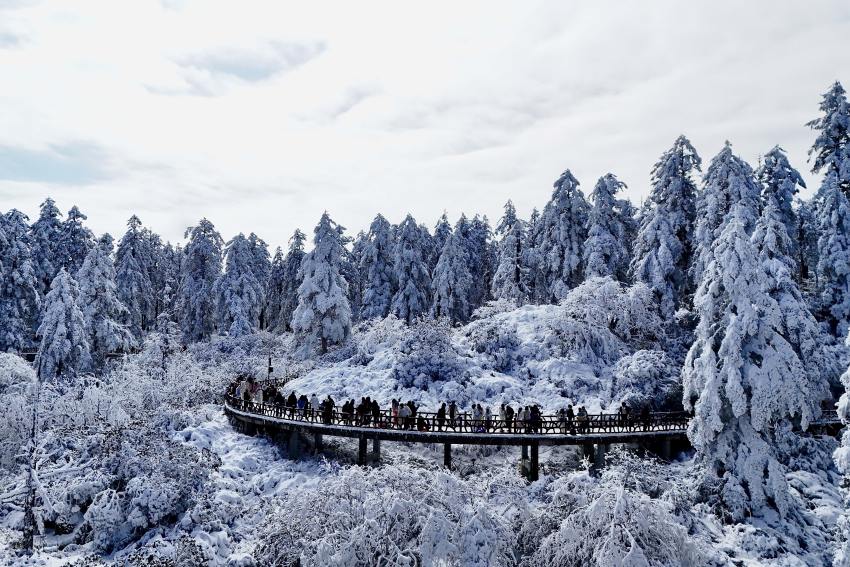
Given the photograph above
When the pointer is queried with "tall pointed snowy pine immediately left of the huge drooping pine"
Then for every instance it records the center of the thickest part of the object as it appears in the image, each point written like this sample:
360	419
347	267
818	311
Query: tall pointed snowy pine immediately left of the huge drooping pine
663	248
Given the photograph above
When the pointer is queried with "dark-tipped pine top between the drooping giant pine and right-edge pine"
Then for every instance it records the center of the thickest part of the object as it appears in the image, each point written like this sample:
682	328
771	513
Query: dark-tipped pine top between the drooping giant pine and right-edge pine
780	184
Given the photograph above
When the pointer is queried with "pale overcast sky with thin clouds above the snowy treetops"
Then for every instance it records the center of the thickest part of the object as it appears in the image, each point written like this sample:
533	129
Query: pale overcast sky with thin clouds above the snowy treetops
260	116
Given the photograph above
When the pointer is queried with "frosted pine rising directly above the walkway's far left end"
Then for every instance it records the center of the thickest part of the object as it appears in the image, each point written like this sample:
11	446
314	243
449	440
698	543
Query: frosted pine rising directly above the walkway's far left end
238	292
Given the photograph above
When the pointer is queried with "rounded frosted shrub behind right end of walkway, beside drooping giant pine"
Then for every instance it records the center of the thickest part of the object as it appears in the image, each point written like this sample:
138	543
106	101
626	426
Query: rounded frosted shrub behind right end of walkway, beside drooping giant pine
646	377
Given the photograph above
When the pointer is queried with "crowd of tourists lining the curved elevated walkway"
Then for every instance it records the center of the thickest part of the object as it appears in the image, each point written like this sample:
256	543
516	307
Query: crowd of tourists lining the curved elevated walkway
406	415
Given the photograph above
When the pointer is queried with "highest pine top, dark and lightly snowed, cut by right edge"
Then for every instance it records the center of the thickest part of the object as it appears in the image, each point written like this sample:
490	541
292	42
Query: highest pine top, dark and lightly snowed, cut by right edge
831	149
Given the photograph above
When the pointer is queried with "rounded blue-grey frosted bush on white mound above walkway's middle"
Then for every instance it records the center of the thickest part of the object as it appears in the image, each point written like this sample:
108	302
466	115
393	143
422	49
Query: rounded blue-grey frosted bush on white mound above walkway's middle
426	355
